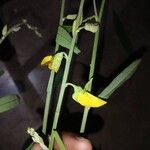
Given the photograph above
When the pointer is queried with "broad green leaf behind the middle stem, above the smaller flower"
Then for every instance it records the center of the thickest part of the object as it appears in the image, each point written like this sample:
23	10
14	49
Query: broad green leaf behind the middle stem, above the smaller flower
64	39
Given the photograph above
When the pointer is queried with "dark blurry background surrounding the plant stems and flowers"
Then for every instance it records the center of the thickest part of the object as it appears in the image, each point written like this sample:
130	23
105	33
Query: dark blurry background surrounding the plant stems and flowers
122	124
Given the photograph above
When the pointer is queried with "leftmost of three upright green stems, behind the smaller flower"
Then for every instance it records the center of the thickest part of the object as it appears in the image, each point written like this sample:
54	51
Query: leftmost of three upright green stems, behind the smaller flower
51	78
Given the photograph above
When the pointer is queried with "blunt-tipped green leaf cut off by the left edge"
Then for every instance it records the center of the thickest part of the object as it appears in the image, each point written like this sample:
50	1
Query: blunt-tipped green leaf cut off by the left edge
8	102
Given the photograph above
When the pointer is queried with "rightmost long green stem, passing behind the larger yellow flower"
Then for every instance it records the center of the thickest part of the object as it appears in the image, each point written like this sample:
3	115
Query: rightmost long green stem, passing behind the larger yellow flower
92	67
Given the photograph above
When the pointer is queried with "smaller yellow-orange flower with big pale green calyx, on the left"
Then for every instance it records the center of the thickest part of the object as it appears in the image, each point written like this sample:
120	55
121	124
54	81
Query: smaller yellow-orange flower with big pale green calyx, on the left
53	62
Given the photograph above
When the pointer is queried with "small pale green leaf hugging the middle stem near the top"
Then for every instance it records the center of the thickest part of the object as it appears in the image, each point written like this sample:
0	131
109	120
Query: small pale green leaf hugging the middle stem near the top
77	22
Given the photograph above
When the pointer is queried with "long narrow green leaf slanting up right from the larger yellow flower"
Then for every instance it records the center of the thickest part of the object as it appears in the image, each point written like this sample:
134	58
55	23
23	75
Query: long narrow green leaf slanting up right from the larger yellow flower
120	79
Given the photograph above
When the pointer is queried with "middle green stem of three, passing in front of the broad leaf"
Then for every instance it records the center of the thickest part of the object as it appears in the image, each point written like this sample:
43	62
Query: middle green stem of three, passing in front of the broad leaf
66	71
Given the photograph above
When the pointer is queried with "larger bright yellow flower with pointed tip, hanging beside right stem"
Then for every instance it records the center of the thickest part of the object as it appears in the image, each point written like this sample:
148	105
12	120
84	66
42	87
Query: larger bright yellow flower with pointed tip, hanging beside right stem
86	99
